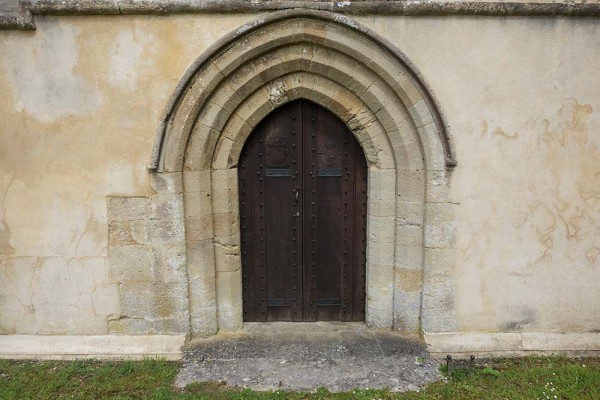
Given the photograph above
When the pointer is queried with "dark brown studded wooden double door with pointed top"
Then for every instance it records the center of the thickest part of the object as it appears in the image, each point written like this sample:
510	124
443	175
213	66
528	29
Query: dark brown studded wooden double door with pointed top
303	201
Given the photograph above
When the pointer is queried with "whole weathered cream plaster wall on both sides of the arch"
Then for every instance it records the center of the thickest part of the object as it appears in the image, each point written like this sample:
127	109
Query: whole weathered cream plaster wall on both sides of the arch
81	98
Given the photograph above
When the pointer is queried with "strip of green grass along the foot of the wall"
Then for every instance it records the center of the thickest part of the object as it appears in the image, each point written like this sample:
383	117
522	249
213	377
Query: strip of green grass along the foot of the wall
530	378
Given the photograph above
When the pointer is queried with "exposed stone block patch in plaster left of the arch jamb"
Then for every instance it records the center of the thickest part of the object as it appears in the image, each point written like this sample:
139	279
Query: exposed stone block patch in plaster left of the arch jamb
146	258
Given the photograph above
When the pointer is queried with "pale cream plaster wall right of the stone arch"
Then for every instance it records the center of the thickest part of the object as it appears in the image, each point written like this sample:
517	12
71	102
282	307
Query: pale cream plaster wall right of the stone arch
521	98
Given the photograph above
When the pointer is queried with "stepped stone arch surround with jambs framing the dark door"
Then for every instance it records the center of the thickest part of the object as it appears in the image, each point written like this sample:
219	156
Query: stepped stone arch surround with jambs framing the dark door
339	64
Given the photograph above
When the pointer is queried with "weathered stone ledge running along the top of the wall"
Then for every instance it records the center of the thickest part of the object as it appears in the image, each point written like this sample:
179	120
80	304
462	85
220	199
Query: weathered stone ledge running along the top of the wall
23	19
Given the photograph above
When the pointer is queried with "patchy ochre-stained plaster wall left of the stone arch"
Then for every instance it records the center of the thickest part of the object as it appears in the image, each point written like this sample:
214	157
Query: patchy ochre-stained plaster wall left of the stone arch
79	105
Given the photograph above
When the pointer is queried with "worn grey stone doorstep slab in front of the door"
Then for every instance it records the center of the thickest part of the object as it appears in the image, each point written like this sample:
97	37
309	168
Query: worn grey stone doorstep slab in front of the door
306	356
